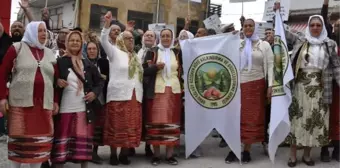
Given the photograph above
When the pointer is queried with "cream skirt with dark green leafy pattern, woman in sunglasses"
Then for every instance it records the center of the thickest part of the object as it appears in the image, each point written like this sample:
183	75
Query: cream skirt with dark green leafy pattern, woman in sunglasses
308	114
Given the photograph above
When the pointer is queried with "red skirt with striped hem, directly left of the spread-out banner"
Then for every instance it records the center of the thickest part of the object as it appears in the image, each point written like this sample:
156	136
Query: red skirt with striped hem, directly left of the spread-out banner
164	118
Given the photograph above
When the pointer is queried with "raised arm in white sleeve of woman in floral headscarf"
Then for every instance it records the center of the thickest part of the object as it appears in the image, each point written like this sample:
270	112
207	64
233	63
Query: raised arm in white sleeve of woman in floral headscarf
104	38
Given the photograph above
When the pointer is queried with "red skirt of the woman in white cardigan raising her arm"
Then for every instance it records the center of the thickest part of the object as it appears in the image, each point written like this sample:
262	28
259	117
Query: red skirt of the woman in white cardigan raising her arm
123	123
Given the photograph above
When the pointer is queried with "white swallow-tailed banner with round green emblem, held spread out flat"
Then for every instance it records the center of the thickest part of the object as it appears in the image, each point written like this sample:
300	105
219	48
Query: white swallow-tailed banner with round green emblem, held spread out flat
212	90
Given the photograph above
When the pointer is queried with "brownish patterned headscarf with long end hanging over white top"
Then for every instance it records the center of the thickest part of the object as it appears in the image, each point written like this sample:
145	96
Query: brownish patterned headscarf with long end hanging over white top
77	61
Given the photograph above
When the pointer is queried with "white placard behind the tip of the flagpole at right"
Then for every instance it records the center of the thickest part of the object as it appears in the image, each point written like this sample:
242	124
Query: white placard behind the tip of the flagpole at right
269	13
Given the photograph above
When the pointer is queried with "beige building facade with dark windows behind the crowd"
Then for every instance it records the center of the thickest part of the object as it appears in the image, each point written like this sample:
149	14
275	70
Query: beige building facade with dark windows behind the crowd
143	12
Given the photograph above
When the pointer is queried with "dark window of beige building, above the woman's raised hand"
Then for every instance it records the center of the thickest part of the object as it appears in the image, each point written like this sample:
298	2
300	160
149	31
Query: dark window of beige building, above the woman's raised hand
97	15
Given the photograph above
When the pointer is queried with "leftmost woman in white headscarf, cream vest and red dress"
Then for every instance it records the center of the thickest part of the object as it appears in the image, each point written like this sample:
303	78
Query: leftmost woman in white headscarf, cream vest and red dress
32	100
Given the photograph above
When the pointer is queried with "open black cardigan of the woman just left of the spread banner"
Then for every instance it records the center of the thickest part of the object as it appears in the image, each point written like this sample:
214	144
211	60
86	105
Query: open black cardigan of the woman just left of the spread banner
150	72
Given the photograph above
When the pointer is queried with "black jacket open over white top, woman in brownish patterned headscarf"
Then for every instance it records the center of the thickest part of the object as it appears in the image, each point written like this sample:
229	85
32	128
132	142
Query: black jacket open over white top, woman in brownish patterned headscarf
92	82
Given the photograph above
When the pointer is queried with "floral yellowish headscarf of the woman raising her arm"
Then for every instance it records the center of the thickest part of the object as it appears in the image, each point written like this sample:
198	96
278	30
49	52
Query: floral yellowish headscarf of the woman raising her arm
135	66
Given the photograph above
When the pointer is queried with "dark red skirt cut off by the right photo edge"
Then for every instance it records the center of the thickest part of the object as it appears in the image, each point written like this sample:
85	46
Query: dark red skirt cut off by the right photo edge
335	114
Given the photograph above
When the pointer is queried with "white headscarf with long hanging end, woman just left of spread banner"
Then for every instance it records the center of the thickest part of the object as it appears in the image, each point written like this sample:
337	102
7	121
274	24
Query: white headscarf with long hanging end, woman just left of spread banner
167	56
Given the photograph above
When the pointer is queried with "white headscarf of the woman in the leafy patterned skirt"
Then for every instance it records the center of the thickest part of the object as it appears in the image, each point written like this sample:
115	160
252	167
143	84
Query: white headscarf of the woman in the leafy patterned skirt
323	36
